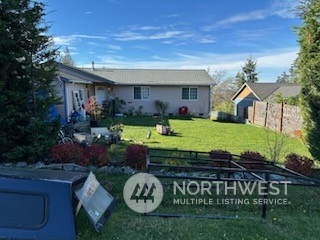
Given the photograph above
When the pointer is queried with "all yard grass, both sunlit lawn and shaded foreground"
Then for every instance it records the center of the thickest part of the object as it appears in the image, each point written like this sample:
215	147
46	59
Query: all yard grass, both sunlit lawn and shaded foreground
298	220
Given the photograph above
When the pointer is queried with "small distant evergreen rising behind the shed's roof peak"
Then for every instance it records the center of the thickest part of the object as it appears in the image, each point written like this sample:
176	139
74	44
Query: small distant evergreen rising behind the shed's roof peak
248	73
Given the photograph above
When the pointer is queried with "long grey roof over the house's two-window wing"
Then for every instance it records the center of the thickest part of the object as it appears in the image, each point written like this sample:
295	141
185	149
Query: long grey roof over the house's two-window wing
153	76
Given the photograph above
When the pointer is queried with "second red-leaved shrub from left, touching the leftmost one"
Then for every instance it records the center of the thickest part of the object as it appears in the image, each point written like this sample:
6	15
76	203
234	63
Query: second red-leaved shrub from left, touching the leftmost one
96	155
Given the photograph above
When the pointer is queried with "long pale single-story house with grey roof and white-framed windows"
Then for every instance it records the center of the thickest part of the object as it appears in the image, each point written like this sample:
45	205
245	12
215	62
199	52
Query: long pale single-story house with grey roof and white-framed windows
138	88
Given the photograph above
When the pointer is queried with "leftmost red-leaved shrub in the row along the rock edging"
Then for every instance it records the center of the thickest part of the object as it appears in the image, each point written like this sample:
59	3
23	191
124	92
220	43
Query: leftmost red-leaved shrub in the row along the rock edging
66	153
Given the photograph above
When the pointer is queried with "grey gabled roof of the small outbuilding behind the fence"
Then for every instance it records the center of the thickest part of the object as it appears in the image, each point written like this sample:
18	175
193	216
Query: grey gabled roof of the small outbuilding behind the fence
262	91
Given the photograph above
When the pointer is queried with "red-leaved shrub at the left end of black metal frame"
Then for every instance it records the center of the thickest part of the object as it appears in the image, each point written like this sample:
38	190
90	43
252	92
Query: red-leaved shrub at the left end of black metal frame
135	156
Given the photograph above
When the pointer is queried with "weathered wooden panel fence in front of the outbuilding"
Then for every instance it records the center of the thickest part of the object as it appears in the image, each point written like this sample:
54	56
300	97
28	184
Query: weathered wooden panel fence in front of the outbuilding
279	117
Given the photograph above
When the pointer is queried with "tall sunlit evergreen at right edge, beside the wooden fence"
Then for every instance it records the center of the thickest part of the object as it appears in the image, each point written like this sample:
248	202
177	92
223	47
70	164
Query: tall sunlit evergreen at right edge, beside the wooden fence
309	75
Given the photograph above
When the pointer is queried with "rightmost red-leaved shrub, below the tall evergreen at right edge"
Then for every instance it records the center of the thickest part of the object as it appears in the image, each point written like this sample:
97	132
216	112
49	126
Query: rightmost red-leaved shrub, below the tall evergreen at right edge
299	164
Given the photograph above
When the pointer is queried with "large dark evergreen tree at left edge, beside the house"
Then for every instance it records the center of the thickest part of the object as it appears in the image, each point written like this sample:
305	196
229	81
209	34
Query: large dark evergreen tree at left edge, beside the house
26	74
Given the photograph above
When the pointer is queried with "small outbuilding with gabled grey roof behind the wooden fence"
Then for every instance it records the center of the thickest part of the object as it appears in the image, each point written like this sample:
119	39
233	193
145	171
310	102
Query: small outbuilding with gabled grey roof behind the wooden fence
266	92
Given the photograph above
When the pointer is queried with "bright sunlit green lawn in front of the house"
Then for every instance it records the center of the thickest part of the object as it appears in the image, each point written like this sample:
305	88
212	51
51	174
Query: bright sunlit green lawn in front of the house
200	134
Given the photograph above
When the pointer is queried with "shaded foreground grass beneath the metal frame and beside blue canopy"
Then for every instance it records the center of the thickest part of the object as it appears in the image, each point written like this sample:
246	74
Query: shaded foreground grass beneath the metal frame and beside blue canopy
298	220
